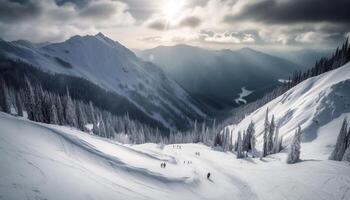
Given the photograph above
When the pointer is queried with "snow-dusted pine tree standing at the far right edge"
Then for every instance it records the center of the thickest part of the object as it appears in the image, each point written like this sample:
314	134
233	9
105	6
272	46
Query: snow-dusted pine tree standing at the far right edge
341	144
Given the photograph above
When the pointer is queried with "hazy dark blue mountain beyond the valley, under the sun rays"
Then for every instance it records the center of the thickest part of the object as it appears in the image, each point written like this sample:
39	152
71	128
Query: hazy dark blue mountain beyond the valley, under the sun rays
216	77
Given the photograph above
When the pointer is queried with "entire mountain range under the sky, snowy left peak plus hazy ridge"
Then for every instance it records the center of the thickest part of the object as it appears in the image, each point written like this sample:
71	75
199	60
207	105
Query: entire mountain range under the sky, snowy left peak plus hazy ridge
170	86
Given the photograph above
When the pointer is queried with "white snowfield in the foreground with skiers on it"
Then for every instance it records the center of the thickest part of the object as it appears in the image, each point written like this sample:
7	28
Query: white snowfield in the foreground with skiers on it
40	161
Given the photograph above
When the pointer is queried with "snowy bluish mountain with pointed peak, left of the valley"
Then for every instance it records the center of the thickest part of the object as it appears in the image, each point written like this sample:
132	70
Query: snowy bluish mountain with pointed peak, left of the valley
115	68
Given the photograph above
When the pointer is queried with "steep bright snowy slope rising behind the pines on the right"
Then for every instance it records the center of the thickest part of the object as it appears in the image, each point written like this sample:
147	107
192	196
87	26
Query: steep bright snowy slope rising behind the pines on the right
318	104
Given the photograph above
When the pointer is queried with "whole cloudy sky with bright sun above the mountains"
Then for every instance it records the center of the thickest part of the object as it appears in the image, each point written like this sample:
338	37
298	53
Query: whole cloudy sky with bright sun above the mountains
208	23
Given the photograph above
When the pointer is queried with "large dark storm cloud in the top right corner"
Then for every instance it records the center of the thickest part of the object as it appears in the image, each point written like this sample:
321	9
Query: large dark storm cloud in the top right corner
294	11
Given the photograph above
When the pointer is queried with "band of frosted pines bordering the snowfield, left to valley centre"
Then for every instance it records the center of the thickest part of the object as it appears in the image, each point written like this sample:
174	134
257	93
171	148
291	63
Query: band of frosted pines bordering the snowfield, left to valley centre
40	105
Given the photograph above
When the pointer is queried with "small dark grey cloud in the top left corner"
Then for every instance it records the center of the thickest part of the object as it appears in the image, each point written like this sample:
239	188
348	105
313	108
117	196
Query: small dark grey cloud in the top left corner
13	11
